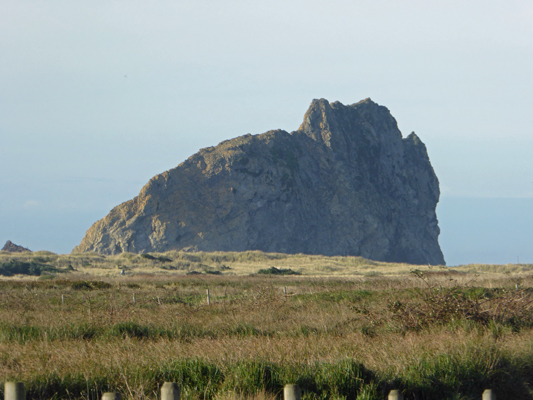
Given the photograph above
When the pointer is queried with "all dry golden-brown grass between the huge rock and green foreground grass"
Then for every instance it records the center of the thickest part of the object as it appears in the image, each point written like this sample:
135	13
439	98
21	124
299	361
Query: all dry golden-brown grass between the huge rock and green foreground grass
93	322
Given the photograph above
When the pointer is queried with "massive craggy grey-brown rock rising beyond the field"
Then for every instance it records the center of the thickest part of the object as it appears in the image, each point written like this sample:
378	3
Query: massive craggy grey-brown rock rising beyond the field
344	183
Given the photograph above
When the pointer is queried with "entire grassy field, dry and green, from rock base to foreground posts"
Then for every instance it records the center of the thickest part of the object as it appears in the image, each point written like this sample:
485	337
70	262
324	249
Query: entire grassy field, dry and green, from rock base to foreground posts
341	327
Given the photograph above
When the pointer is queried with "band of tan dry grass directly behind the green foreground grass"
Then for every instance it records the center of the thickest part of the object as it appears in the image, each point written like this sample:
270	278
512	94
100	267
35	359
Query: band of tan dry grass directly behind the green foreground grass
389	353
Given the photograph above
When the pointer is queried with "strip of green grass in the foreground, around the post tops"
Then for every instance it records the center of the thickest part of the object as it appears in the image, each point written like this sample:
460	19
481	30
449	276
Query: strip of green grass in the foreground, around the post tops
433	377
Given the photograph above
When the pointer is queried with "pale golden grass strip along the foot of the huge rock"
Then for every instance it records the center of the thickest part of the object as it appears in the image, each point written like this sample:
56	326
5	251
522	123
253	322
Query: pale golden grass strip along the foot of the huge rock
249	262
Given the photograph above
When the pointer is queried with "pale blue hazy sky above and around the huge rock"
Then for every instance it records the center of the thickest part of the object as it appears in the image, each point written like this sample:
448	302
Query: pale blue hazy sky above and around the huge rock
97	97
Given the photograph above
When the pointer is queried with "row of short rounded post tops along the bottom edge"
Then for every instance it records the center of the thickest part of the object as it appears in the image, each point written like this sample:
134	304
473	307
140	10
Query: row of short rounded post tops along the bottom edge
171	391
